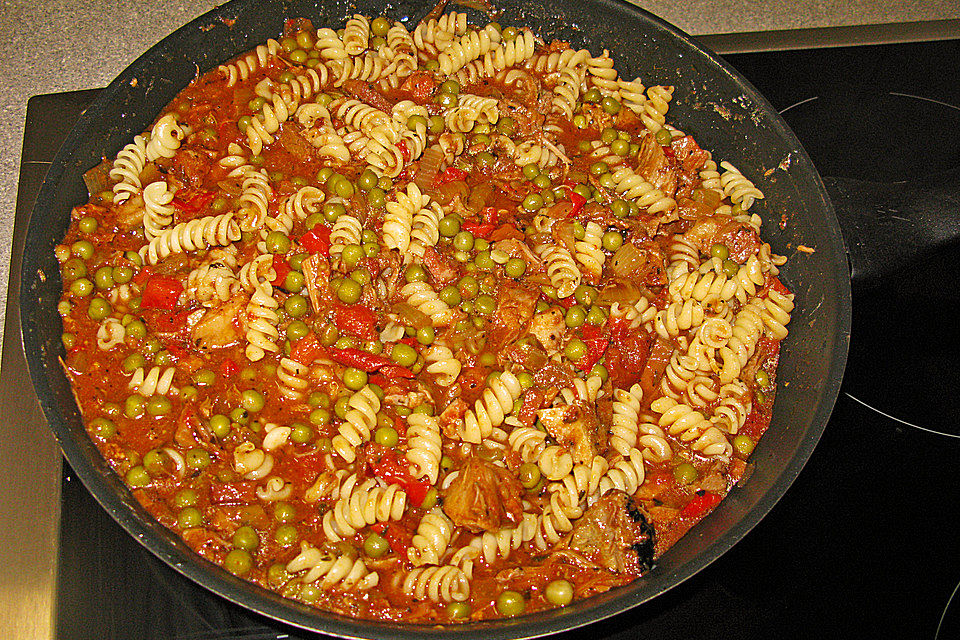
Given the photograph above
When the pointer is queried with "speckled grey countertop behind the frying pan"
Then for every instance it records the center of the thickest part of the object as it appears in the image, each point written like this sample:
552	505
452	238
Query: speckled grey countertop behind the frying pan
49	46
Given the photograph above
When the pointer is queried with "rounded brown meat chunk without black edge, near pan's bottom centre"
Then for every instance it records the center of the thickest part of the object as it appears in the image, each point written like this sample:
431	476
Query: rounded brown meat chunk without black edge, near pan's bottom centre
483	497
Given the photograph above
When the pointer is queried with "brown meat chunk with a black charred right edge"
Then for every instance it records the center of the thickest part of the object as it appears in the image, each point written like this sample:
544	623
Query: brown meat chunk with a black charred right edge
615	533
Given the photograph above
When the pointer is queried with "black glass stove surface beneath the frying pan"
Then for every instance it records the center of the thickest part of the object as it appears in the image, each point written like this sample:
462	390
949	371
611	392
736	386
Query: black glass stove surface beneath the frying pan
863	543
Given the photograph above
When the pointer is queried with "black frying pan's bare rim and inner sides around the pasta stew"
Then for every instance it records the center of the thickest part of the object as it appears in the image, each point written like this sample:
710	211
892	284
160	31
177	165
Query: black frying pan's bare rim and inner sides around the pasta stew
712	102
